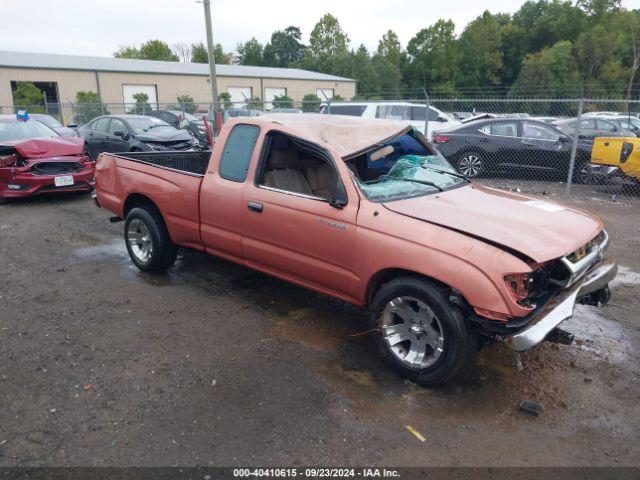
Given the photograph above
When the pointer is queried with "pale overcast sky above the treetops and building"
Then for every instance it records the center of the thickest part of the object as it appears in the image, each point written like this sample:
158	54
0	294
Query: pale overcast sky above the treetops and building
98	27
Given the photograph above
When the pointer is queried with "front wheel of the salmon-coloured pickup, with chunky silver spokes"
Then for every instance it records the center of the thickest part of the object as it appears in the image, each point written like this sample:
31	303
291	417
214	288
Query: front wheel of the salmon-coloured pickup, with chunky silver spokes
418	332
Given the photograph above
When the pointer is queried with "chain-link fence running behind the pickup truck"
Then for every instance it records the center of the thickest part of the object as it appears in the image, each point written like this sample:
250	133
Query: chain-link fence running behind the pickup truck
581	147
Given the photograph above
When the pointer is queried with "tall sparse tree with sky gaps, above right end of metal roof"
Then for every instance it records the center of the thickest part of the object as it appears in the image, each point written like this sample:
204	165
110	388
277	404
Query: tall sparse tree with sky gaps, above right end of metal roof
326	42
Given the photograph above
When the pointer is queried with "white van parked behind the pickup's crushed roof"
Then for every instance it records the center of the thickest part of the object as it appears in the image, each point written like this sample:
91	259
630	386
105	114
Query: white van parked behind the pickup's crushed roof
413	114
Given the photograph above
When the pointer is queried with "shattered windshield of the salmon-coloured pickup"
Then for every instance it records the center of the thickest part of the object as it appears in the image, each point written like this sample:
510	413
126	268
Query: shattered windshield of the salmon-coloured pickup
403	167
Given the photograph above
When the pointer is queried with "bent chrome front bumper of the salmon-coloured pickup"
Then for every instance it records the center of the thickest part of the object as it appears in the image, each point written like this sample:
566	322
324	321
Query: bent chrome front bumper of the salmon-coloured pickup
561	307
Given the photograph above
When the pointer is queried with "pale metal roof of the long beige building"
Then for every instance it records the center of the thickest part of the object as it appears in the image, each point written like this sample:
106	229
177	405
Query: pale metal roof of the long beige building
52	61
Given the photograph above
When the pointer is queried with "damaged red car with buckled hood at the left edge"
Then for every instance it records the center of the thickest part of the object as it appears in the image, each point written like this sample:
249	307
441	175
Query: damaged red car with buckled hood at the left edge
34	159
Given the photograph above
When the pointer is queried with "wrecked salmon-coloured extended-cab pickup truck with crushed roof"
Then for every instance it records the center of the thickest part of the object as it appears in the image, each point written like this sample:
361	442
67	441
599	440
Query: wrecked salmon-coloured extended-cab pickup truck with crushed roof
445	265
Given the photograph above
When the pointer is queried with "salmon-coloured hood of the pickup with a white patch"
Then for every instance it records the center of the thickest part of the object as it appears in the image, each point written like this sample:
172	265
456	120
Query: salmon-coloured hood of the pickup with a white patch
539	229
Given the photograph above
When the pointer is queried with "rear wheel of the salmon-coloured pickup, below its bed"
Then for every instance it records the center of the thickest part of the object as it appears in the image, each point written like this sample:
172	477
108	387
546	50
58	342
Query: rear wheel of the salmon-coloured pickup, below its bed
147	240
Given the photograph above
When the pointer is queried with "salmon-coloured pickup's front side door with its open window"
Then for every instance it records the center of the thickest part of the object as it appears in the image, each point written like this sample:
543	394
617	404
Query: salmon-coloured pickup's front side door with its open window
290	227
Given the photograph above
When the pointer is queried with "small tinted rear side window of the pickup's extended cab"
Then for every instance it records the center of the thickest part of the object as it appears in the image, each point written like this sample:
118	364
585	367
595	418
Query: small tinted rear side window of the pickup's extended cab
237	152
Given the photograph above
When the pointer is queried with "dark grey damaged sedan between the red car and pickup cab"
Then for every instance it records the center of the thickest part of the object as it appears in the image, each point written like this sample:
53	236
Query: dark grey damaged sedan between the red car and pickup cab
133	133
